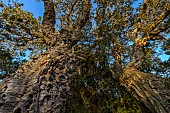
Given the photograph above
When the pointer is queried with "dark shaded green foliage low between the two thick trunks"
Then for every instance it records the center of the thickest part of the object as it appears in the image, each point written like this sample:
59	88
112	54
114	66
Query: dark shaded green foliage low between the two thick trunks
97	91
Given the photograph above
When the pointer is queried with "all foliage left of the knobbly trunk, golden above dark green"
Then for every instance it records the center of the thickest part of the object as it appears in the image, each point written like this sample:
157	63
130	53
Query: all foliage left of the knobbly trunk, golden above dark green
17	35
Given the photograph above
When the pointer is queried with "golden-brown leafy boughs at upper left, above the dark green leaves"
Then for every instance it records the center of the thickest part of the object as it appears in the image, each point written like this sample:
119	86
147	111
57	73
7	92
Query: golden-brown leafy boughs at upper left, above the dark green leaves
20	33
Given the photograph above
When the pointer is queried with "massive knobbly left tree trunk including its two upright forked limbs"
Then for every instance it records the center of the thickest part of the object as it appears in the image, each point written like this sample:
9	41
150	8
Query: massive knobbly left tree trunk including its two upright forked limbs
42	84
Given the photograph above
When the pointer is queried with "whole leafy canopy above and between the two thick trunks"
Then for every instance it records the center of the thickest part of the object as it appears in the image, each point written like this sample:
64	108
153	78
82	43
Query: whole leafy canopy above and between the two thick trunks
111	35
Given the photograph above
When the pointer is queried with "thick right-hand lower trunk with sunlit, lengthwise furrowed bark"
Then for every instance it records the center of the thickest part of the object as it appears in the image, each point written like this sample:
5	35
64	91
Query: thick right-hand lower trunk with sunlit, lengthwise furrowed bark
153	91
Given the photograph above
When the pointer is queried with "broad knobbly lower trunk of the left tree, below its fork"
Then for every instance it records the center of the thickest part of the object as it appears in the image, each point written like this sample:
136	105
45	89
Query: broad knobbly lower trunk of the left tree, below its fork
41	85
